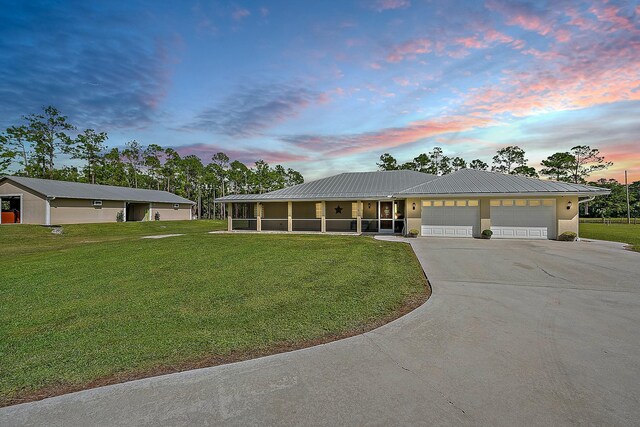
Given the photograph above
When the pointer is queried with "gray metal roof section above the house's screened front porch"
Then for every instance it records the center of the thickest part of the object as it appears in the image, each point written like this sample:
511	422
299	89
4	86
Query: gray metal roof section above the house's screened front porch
344	186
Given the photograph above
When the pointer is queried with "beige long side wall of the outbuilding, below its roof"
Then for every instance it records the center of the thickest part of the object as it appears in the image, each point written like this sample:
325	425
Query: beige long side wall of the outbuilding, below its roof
81	211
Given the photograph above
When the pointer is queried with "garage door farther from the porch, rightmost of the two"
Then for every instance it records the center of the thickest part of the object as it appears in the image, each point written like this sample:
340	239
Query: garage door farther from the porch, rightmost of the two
523	219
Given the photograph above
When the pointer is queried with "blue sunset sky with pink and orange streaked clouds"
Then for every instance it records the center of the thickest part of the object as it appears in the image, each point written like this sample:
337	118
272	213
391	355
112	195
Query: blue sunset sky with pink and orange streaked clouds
327	87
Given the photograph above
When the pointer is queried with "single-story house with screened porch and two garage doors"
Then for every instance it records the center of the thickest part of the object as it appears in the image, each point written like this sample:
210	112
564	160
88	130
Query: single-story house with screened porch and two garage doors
461	204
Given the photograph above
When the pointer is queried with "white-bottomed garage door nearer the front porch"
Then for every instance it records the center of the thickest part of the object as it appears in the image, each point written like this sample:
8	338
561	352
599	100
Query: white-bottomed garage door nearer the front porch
450	218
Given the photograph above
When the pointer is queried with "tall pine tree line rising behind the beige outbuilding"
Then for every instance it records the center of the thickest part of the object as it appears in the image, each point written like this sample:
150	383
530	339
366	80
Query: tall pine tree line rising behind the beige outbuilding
35	147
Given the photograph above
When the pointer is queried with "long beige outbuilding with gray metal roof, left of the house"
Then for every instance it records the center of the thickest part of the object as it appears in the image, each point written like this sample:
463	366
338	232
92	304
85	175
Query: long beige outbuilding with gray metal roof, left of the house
43	201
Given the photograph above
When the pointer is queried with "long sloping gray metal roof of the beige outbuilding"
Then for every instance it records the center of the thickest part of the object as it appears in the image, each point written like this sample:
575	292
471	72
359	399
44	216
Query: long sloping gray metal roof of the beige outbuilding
77	190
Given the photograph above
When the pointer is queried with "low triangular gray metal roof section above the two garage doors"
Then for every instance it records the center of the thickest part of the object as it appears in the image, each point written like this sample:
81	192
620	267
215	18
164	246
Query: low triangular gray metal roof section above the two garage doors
471	181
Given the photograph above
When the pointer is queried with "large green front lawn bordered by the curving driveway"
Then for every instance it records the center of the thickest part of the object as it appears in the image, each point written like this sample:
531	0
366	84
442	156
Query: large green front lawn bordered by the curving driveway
97	303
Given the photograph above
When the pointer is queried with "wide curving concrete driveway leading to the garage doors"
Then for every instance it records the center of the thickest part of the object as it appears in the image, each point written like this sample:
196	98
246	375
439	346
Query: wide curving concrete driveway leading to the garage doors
516	333
